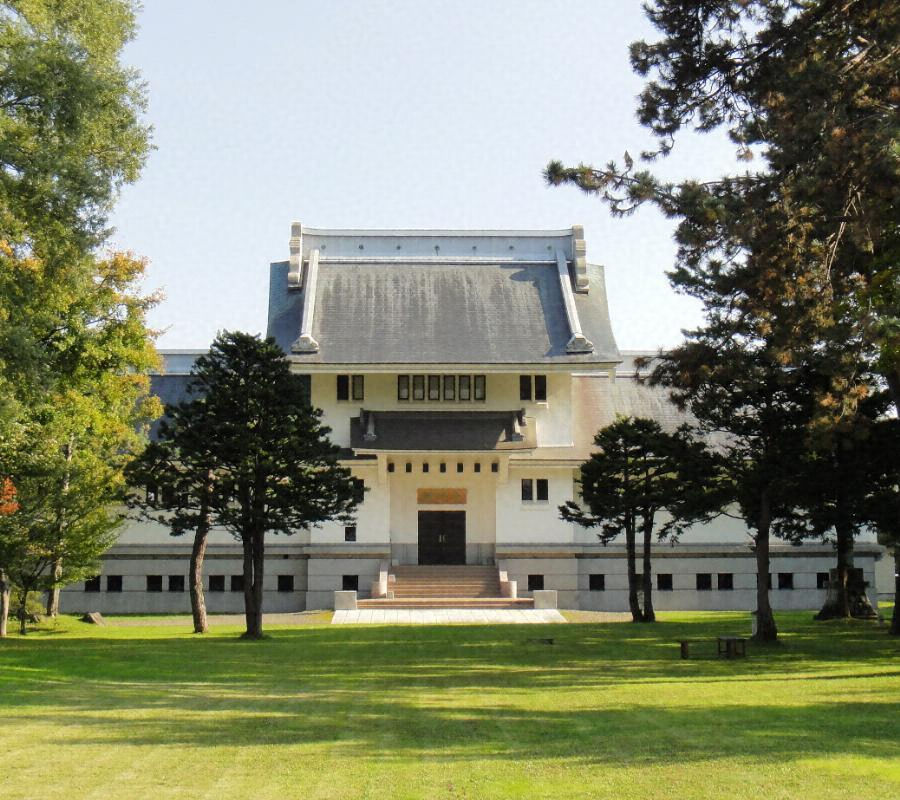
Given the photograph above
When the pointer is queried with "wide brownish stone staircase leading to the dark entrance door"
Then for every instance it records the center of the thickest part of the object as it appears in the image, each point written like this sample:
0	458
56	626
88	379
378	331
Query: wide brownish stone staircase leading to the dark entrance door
453	586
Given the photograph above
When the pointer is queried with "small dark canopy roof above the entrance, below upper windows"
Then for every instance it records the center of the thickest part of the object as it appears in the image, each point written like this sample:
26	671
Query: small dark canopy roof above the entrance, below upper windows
442	430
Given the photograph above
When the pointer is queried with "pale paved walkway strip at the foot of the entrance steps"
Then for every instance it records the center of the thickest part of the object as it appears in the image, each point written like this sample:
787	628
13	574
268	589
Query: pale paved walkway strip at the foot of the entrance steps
443	616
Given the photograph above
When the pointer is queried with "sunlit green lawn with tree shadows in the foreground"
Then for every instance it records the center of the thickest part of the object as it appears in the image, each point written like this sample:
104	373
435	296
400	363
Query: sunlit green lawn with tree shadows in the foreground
607	711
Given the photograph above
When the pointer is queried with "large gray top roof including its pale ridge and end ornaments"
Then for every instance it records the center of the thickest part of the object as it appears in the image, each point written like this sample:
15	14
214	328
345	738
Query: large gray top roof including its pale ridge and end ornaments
440	297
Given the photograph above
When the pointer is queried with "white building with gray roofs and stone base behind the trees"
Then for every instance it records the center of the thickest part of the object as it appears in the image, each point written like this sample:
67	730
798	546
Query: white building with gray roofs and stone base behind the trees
464	374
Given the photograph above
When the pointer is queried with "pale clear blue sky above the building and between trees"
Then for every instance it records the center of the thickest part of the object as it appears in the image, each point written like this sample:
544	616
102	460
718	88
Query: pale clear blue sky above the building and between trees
386	115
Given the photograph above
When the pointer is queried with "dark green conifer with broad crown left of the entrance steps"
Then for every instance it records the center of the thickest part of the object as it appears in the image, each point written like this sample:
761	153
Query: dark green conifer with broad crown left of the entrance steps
250	447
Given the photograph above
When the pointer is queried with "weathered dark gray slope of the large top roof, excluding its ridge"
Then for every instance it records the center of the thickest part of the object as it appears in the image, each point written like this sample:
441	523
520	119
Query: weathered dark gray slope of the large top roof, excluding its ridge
423	313
